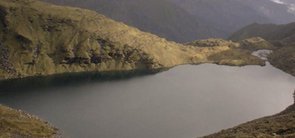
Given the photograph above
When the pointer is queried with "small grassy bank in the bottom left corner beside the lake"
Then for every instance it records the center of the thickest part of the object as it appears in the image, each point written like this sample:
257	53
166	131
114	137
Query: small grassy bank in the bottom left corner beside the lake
19	124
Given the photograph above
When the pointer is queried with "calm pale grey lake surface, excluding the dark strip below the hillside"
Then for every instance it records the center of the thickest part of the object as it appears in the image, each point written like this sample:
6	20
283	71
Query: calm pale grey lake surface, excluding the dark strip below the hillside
184	102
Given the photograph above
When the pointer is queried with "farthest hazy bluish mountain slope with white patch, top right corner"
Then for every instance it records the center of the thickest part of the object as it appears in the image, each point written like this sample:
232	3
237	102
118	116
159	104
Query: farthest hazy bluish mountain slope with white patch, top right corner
228	16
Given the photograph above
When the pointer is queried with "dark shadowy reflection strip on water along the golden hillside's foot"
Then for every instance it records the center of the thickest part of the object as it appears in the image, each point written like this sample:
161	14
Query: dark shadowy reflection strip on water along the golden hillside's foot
62	80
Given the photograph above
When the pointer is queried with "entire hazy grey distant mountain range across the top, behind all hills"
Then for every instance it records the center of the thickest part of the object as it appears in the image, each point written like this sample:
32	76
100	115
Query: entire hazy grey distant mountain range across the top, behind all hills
187	20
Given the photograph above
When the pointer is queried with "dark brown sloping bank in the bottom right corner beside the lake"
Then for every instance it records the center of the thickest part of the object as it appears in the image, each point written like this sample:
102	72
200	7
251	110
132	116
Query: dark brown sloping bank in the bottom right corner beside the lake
279	125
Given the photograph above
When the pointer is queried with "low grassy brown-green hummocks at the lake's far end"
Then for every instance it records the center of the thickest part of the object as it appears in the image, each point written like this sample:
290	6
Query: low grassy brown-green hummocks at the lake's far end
231	53
